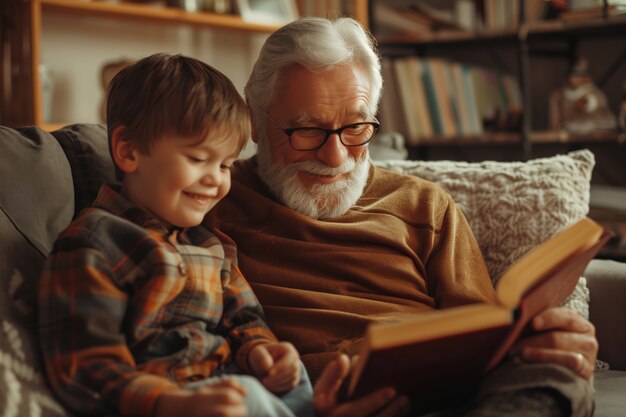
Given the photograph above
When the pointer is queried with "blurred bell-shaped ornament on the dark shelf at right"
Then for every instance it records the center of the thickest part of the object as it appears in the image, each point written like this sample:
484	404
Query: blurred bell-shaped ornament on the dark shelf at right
580	106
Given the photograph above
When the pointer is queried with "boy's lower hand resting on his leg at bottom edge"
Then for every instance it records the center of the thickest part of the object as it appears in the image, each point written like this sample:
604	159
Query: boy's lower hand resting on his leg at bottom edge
225	398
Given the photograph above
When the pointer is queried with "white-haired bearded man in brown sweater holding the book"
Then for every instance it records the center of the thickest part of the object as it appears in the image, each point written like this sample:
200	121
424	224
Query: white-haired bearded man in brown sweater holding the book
330	243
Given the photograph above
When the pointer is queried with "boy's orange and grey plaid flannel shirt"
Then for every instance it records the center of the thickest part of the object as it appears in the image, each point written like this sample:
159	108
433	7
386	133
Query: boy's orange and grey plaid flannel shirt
129	309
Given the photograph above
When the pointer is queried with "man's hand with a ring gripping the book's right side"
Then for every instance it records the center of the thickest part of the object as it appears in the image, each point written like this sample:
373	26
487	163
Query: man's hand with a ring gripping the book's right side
563	337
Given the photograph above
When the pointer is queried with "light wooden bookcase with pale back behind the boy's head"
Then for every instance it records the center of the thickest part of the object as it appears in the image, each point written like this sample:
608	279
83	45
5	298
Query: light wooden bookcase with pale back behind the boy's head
116	22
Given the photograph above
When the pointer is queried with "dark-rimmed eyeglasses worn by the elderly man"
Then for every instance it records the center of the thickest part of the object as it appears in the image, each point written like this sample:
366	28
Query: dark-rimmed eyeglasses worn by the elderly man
312	138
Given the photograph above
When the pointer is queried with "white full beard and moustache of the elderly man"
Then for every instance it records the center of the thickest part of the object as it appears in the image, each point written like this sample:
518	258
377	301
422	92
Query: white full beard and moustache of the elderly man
320	200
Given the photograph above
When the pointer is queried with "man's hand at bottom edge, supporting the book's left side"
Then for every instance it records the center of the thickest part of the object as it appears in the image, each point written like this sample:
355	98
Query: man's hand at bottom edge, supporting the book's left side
381	403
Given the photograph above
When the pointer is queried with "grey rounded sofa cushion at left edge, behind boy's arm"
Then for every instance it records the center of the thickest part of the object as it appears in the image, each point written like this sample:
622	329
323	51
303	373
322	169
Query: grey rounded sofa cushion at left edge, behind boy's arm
36	200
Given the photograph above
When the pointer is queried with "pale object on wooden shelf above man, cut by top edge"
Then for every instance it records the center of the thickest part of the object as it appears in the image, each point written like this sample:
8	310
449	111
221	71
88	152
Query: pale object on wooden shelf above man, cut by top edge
268	12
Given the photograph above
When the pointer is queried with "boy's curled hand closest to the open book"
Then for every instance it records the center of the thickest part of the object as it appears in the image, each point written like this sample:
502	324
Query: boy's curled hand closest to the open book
277	365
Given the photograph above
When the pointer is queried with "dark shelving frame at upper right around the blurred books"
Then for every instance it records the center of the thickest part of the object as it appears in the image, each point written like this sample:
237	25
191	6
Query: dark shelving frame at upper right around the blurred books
529	40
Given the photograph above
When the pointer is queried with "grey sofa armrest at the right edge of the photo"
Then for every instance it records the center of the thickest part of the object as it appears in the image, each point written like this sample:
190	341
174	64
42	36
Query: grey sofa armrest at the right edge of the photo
607	308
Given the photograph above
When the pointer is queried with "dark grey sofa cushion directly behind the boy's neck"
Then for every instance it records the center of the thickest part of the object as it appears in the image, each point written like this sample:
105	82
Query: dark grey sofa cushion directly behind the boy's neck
87	149
